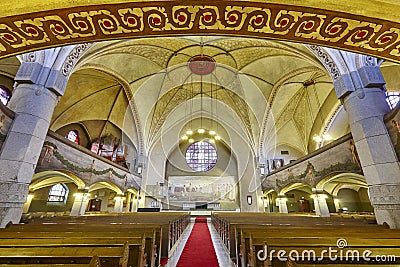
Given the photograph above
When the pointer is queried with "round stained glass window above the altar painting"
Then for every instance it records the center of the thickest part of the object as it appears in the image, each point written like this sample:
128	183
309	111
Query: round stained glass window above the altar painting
201	156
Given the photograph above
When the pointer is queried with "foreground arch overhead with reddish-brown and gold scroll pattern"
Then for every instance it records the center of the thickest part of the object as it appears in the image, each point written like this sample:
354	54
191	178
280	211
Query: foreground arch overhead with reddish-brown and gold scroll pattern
314	23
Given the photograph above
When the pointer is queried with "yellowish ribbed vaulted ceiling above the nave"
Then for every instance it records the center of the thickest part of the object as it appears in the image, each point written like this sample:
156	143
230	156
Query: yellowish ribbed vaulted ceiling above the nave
258	82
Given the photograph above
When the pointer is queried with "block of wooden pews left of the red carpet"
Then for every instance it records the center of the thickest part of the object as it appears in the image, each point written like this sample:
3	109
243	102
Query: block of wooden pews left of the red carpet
130	240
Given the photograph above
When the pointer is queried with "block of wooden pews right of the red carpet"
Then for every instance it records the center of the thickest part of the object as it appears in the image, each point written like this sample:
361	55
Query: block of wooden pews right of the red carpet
247	235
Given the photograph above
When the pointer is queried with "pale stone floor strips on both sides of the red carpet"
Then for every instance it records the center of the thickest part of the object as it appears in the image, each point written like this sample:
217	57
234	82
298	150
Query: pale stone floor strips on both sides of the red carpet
222	255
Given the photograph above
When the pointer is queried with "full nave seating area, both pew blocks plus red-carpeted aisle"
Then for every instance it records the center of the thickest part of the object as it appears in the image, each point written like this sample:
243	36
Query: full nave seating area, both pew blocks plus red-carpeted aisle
225	239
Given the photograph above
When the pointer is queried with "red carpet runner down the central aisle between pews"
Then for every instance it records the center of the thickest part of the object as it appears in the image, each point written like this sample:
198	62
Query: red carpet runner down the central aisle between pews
199	250
